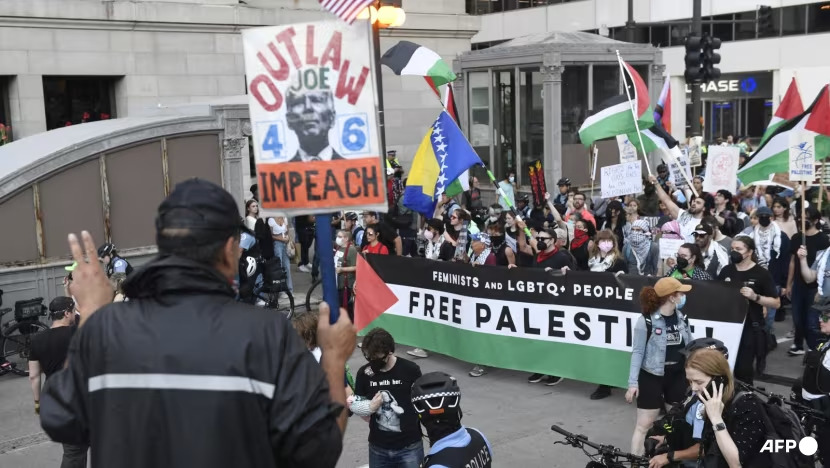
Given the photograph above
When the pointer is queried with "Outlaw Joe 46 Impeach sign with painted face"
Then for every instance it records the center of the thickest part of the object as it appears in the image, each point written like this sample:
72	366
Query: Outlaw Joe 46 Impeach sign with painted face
312	105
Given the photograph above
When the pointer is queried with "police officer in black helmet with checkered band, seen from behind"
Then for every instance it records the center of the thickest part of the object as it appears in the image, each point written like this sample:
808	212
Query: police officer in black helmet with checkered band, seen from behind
437	399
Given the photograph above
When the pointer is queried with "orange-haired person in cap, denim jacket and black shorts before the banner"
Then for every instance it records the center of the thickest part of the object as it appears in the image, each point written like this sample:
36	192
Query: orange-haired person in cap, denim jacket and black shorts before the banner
656	377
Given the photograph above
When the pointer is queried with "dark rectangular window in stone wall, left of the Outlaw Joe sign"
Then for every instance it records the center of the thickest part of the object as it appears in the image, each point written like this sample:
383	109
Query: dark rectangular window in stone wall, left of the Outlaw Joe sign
75	100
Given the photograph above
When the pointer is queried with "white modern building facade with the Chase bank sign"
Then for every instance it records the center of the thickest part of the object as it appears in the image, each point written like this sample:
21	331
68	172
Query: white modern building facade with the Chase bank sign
757	64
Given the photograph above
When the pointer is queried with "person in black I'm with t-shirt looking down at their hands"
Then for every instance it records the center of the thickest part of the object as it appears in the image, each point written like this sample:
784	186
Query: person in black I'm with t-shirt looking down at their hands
386	381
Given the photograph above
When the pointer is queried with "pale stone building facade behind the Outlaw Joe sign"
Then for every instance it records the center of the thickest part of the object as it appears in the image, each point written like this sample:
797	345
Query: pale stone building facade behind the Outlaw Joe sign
65	62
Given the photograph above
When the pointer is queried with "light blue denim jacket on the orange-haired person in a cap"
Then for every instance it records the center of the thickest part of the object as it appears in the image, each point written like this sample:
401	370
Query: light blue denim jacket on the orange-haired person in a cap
651	356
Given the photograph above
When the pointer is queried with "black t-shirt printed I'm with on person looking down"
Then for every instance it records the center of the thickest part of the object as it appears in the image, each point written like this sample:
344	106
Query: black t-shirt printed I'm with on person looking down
395	425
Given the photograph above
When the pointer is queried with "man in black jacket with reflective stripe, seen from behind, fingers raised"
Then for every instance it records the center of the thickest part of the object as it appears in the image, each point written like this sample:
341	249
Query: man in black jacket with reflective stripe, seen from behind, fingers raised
183	375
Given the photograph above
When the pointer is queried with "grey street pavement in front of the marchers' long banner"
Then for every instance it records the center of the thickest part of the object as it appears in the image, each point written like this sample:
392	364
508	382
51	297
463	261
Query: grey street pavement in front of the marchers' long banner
514	415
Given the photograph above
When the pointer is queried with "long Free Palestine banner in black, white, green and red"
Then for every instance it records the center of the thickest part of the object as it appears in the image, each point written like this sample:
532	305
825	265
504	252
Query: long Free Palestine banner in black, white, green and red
578	326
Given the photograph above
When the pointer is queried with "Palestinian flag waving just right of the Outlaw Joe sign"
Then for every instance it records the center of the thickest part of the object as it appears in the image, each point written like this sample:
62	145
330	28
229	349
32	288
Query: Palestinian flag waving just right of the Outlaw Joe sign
408	58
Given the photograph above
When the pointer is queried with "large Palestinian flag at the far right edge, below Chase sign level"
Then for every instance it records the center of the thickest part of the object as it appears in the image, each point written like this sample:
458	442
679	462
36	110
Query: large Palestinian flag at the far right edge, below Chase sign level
774	155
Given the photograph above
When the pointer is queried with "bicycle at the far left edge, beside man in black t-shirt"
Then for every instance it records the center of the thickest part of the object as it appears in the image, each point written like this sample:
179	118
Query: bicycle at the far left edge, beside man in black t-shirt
17	334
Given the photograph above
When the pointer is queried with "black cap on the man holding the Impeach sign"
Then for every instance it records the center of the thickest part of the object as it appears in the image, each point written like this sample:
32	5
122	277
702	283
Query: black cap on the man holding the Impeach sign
203	208
